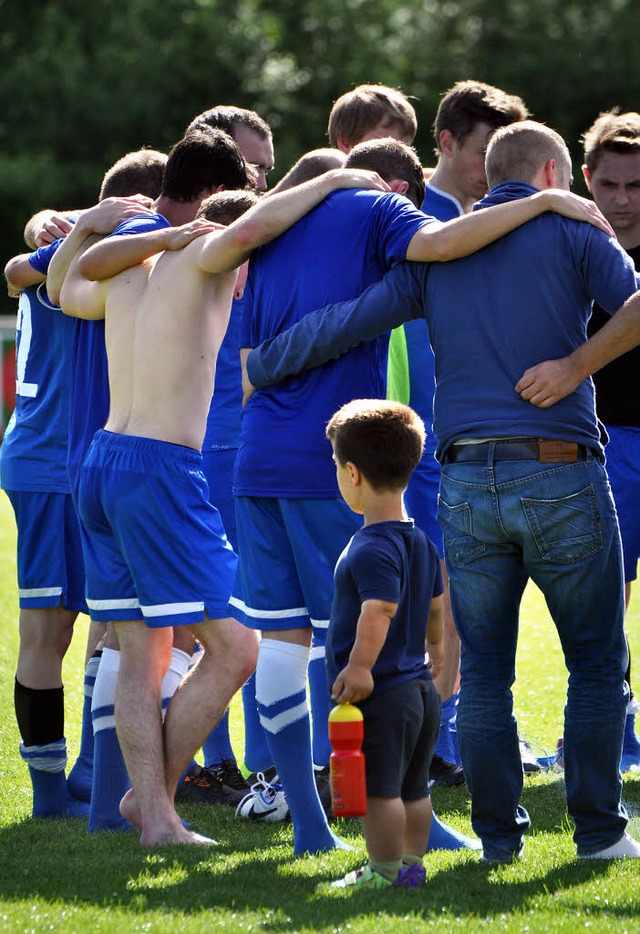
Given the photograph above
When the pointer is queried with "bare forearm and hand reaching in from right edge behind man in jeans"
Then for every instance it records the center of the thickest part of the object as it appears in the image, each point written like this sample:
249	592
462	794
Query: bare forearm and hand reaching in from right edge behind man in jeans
549	382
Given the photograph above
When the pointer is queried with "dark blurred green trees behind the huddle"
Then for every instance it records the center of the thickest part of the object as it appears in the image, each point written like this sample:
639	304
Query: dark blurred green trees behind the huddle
83	83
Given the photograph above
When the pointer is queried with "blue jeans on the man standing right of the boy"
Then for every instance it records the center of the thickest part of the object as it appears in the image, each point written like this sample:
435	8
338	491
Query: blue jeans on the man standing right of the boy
505	522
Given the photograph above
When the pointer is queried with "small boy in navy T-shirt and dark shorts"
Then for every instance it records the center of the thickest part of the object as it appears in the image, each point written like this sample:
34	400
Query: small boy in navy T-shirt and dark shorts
387	600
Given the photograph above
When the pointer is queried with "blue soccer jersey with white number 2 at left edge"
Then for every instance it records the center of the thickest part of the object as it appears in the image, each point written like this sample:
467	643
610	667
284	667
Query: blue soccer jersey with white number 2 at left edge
34	449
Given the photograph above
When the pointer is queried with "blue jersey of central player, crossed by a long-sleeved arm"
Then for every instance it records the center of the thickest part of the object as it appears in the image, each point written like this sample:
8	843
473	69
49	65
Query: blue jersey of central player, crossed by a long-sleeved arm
335	251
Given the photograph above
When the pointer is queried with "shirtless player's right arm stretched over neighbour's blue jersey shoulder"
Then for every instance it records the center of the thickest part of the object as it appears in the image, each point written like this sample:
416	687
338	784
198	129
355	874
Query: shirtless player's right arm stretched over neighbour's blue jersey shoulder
276	213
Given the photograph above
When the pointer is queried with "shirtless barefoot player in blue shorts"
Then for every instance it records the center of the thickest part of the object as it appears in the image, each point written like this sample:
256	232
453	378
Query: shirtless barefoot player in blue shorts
142	494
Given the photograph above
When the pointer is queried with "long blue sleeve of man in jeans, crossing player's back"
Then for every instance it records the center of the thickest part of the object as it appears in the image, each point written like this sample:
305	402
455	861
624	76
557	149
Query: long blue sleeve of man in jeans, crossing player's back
329	333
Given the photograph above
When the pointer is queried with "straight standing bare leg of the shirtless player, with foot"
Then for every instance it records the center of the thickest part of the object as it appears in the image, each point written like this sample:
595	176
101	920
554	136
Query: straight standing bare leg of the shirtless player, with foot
144	657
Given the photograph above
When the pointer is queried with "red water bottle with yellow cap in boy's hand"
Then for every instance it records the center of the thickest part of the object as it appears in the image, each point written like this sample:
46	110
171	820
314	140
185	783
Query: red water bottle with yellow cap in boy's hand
348	782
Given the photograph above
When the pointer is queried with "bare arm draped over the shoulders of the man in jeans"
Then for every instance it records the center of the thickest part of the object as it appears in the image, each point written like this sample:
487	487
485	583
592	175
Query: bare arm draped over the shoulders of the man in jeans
466	234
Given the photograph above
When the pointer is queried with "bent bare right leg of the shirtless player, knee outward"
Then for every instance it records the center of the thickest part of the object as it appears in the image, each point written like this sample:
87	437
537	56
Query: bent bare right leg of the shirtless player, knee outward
229	657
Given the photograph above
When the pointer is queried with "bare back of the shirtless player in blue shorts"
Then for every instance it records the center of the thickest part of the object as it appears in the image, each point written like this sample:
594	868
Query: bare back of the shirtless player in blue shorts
165	321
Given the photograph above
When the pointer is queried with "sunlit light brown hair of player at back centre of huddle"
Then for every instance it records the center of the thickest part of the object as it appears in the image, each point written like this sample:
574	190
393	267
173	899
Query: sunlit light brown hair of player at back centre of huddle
358	112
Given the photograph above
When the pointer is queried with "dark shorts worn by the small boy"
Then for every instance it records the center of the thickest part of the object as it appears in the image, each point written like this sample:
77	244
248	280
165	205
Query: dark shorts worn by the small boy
400	730
